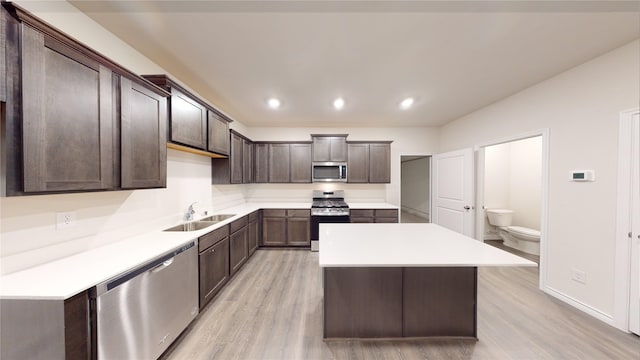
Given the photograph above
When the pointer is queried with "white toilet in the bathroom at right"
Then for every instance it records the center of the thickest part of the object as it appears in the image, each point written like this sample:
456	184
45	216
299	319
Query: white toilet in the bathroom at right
517	237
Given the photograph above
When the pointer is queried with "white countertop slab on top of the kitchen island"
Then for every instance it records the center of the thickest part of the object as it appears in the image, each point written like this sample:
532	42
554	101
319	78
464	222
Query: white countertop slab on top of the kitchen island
406	245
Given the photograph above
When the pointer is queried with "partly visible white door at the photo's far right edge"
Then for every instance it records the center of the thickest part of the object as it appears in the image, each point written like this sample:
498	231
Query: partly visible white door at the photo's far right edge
634	289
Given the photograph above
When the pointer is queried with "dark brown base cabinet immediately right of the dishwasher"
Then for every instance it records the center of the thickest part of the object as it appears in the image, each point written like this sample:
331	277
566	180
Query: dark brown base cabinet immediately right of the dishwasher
213	261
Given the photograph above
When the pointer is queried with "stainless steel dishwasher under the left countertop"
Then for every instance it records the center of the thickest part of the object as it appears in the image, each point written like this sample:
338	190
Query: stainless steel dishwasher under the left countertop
140	313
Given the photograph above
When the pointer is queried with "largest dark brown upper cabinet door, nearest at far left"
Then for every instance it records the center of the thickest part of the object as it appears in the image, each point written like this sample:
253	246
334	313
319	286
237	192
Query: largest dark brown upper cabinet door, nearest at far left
67	118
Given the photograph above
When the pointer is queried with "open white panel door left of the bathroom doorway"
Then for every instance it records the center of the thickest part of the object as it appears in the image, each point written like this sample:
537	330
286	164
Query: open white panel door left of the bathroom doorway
453	195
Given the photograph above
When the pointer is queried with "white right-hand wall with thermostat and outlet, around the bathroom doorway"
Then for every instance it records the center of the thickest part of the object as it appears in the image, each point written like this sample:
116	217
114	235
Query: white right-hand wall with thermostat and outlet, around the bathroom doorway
580	107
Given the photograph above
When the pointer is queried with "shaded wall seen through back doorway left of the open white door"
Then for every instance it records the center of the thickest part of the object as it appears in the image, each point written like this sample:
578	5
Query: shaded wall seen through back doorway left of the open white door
415	186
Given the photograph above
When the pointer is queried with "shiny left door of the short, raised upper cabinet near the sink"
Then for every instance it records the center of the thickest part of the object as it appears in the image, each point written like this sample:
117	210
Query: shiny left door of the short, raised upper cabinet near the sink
188	121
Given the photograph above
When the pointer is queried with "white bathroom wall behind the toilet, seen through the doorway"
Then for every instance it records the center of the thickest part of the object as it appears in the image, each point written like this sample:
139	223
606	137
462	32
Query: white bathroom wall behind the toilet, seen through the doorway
513	173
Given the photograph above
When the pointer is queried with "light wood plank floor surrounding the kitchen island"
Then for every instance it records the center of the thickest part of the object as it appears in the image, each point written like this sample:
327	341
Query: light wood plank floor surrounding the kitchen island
272	309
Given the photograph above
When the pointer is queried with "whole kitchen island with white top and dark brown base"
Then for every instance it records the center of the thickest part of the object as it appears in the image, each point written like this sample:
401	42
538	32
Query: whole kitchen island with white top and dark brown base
402	280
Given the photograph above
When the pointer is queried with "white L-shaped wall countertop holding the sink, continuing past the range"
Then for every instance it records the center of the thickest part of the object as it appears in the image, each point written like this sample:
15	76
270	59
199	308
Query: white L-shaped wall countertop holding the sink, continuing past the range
63	278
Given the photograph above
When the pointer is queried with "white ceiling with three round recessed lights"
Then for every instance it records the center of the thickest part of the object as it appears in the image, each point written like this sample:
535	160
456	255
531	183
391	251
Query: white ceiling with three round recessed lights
453	57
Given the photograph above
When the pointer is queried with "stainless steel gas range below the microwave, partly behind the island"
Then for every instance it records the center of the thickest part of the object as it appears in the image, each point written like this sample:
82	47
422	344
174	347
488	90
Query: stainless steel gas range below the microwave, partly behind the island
327	207
